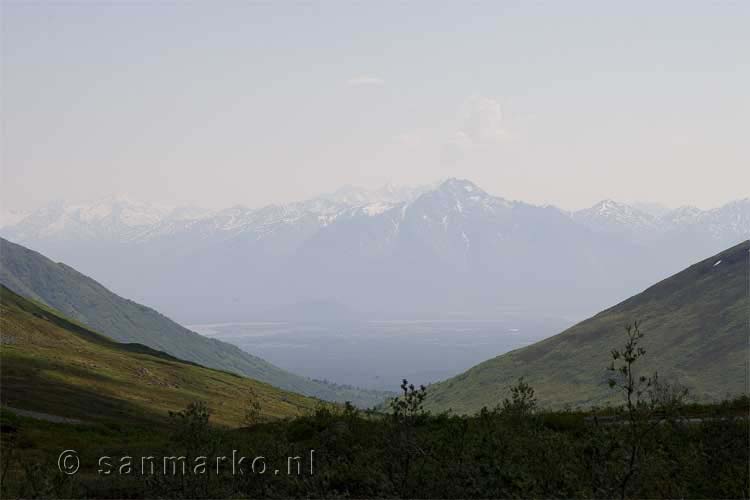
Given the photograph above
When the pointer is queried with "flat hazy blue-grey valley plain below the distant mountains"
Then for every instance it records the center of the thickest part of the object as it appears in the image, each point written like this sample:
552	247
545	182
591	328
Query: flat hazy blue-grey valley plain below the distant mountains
379	354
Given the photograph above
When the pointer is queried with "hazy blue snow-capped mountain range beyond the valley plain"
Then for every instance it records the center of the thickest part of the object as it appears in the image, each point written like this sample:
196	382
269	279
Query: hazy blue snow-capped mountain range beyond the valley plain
395	252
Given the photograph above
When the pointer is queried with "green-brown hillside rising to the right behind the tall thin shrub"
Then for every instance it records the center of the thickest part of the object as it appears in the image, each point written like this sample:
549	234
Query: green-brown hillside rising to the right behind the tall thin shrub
696	333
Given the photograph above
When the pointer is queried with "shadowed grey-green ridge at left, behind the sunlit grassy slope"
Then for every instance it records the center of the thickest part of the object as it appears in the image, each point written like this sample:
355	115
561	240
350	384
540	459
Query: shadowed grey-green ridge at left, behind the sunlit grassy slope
30	274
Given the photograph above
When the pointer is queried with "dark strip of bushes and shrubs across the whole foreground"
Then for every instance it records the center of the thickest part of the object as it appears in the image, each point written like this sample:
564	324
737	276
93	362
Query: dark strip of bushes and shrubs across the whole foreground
653	444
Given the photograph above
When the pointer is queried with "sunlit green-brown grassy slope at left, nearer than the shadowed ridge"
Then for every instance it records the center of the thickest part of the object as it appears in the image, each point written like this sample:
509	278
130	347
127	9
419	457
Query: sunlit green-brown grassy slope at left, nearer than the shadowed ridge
54	365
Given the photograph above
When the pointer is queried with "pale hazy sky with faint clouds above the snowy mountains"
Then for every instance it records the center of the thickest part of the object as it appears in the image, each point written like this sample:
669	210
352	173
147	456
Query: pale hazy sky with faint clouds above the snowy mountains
223	103
